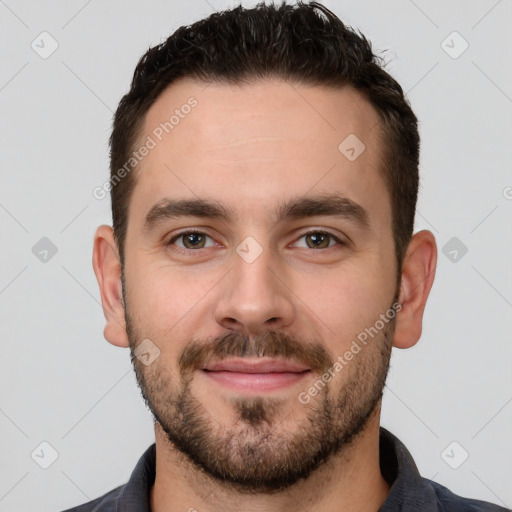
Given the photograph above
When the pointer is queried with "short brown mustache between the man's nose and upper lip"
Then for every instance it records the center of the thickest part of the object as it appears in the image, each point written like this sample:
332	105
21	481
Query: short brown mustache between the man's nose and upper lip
269	344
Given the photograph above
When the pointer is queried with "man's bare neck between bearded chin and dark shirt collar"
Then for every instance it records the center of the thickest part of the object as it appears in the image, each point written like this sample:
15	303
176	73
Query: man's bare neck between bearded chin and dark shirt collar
350	481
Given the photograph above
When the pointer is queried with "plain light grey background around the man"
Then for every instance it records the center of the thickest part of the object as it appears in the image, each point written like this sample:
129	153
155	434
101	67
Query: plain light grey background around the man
63	384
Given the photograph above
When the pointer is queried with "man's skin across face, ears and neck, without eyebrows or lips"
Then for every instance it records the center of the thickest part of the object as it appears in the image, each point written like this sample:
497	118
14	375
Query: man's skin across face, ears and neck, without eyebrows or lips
251	148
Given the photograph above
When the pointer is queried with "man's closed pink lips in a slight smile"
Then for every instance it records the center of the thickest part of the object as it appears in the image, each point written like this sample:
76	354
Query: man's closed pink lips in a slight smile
257	375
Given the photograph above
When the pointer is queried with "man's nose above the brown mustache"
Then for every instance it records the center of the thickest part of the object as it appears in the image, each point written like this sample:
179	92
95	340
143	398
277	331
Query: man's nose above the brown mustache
254	297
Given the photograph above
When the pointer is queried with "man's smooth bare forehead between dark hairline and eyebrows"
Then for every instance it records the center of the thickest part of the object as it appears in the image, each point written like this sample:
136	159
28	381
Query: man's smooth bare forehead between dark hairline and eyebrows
250	145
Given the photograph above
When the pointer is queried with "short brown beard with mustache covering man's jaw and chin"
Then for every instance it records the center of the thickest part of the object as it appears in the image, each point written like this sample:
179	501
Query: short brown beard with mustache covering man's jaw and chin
256	454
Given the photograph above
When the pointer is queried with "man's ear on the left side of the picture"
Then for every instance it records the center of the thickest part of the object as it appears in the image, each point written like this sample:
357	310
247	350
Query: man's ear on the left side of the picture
107	267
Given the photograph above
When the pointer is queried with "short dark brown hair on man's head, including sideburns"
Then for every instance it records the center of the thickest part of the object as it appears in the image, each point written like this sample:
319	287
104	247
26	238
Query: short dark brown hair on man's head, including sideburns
305	43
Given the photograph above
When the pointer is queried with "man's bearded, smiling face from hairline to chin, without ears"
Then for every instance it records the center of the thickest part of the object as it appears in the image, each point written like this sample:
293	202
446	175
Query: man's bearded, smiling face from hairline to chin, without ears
254	236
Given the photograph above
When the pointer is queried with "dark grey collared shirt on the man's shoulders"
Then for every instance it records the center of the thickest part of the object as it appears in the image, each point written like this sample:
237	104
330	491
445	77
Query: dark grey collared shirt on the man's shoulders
409	492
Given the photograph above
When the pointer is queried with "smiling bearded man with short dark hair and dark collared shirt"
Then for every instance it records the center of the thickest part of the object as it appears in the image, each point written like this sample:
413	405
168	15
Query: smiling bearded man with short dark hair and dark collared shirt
262	265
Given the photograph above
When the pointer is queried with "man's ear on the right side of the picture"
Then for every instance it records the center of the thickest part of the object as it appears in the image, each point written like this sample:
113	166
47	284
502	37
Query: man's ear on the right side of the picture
418	274
